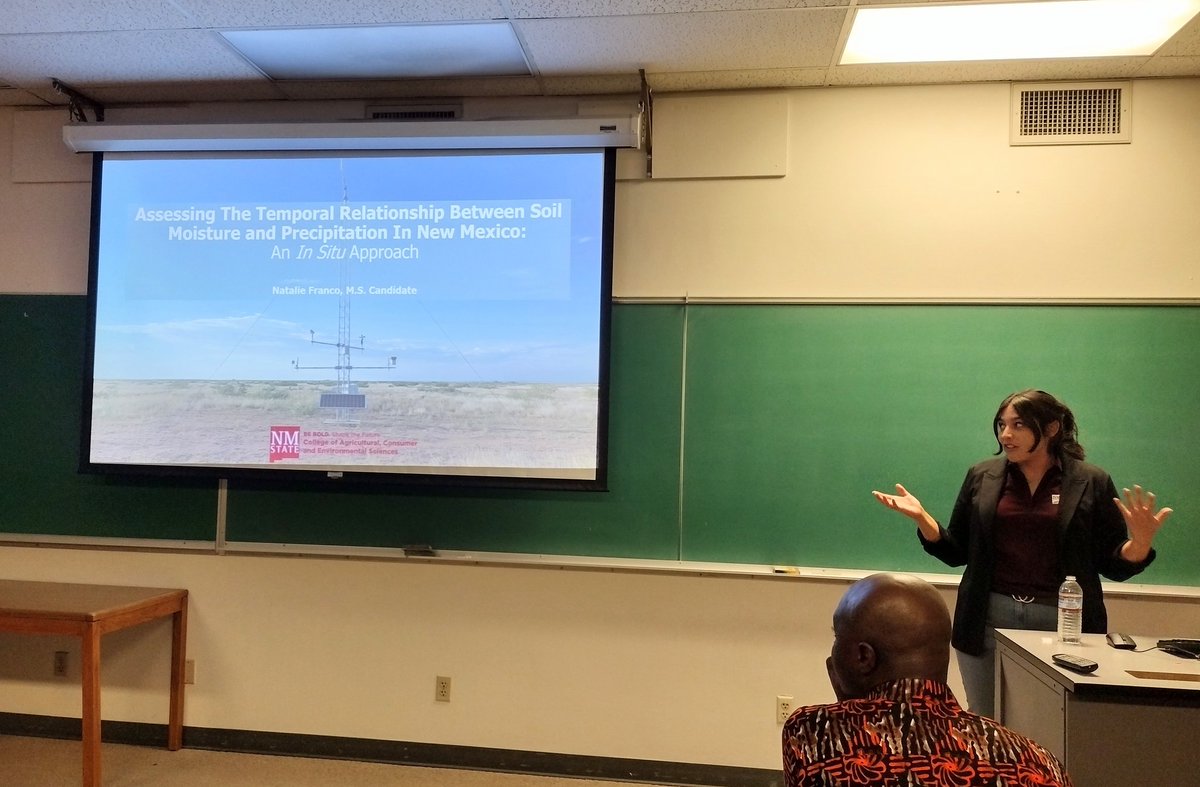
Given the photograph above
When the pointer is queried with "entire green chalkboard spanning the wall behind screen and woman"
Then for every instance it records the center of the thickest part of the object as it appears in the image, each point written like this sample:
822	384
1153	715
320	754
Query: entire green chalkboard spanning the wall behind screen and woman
740	434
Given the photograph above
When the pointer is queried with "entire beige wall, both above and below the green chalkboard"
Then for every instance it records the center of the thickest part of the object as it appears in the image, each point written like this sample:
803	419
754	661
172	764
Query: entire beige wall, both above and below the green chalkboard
901	193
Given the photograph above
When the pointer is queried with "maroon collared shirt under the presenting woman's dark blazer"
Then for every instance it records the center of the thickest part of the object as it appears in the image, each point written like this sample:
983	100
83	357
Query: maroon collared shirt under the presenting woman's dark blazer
1027	536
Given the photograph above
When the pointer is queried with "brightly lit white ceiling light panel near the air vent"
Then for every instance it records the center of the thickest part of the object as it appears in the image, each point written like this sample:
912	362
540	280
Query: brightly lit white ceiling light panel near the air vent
1015	31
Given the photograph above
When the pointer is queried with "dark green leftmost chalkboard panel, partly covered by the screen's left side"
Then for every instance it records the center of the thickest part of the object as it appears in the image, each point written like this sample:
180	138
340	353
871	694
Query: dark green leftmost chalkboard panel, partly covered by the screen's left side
41	494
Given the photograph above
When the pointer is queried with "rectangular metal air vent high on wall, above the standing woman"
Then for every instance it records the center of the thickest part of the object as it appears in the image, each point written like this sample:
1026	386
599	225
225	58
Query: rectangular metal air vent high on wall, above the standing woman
1084	113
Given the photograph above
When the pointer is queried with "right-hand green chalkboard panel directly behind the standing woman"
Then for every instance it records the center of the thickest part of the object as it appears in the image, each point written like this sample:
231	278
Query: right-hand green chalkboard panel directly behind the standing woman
796	413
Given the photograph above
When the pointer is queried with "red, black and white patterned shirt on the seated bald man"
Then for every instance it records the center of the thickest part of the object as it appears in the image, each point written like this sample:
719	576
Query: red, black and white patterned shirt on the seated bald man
907	734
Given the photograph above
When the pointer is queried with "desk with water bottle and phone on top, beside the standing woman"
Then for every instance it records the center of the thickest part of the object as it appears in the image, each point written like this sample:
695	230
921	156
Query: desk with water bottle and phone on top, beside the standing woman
1133	722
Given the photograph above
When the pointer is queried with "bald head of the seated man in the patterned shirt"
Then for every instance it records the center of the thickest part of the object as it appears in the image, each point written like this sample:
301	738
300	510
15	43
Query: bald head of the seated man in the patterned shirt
889	627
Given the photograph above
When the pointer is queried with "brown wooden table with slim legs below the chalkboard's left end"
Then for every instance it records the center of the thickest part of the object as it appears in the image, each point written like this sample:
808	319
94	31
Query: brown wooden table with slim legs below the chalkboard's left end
91	611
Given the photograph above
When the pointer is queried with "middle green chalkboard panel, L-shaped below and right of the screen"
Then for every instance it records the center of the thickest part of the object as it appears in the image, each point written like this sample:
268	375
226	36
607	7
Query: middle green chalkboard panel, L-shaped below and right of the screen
638	518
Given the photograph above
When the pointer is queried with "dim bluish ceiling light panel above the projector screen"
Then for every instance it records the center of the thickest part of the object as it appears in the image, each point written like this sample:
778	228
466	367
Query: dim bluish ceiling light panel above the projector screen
397	52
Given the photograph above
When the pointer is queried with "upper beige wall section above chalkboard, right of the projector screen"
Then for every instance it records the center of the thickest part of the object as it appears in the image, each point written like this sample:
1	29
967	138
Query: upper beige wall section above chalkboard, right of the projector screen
915	194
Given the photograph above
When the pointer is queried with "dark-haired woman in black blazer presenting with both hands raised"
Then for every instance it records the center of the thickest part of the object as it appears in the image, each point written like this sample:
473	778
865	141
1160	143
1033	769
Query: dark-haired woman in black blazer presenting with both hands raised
1022	525
